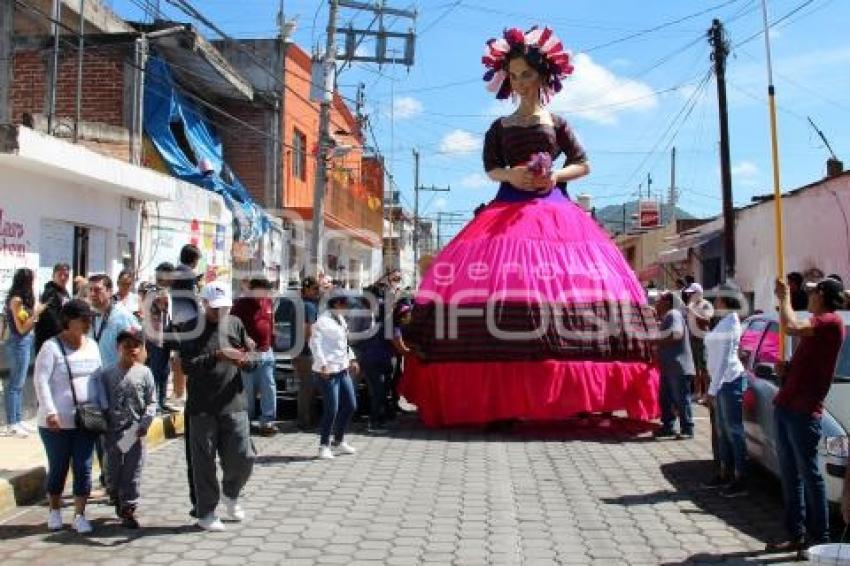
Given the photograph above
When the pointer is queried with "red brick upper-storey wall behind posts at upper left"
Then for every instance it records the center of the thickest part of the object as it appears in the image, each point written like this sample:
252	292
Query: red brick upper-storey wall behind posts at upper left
103	84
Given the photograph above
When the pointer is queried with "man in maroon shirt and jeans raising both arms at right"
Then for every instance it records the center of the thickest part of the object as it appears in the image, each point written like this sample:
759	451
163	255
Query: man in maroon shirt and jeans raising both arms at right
799	405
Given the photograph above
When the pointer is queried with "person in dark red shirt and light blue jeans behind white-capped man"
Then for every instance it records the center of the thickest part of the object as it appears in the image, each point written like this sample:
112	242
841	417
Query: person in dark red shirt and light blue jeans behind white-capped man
255	311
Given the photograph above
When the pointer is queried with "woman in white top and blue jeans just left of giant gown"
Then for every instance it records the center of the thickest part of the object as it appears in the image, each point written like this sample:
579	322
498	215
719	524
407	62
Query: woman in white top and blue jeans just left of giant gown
333	359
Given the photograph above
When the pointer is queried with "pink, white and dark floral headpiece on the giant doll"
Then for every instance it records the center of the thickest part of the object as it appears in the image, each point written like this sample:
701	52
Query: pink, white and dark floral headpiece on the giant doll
536	42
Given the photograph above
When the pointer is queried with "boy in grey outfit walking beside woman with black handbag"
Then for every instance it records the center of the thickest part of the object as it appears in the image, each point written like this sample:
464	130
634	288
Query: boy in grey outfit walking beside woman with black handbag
129	397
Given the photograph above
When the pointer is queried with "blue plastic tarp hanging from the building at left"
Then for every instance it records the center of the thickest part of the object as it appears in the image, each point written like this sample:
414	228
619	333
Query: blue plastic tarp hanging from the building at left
164	105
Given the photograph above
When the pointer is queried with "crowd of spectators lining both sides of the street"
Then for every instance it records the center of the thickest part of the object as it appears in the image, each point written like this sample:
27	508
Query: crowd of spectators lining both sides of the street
107	355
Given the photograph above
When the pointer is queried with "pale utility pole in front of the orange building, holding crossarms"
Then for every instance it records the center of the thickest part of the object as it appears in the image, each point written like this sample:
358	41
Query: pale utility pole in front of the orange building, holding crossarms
329	72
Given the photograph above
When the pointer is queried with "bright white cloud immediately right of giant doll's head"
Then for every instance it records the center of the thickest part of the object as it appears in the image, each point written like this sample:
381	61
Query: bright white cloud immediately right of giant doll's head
597	94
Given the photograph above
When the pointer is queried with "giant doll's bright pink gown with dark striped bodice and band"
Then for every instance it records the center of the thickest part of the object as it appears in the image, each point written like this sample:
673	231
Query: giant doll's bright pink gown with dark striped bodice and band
531	312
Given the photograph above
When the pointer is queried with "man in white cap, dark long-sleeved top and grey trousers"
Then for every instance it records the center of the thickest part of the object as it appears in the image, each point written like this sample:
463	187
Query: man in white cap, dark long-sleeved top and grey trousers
215	406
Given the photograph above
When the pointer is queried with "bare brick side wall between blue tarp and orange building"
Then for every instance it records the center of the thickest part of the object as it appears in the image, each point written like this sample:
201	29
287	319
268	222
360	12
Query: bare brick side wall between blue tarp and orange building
245	149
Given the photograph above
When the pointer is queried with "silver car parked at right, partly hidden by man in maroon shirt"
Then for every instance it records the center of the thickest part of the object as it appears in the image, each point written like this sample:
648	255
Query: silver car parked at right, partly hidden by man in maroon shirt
759	352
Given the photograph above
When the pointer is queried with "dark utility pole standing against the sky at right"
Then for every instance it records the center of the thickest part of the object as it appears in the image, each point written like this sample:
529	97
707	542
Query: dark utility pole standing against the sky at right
718	41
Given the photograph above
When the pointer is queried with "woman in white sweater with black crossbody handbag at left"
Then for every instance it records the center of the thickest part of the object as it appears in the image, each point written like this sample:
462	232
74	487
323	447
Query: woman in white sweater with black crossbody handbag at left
68	410
